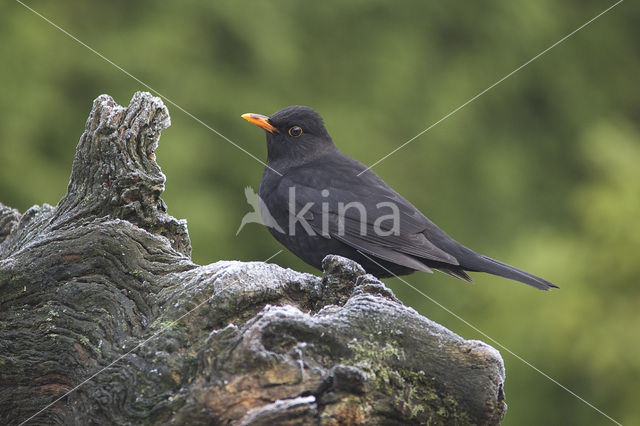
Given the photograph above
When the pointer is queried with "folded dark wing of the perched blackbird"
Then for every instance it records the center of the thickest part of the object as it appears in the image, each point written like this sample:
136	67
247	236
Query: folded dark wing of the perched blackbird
357	229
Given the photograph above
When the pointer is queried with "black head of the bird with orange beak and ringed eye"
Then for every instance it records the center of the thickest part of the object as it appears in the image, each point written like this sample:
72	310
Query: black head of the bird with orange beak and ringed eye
295	134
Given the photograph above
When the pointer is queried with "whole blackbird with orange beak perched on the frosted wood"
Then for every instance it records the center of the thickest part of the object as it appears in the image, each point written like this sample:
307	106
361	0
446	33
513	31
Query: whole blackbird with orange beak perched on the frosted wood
317	201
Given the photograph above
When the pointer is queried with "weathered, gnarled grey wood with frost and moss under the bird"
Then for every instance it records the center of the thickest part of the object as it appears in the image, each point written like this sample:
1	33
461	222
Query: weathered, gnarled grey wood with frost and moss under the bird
102	287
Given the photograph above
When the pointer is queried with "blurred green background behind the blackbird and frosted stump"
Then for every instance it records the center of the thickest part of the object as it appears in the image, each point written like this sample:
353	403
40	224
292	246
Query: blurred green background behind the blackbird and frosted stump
542	172
